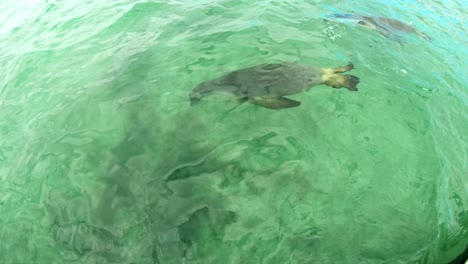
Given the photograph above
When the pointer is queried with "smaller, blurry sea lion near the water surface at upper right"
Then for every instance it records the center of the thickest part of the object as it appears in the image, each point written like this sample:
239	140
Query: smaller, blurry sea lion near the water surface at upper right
390	28
